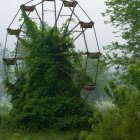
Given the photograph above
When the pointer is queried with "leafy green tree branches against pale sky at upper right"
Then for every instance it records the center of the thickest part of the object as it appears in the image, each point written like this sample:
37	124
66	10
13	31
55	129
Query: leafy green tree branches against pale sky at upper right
124	16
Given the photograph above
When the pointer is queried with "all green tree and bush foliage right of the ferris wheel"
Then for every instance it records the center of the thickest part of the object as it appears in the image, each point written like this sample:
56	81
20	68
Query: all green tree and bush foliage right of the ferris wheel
122	123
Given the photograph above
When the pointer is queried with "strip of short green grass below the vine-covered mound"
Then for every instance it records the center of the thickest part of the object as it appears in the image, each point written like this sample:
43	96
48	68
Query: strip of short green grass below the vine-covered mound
38	136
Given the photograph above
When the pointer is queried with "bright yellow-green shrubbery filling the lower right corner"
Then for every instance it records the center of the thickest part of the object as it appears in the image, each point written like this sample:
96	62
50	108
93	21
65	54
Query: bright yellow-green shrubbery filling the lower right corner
123	122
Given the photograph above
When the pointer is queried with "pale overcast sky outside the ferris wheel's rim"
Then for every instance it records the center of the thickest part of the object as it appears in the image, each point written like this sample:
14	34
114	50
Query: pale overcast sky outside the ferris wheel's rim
94	8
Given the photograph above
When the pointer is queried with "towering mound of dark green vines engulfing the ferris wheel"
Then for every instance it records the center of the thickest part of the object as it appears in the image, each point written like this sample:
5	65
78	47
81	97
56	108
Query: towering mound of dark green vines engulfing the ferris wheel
47	92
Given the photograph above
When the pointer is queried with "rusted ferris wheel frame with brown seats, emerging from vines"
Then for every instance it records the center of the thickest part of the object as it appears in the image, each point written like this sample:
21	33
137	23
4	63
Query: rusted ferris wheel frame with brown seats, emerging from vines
71	5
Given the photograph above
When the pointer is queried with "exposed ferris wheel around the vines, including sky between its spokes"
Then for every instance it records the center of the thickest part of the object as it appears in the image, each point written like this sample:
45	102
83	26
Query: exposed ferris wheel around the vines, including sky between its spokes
55	13
